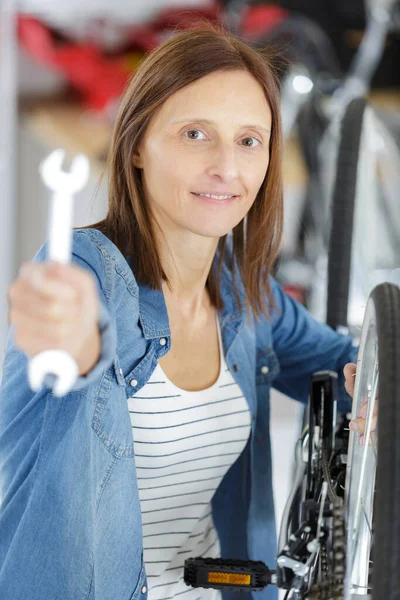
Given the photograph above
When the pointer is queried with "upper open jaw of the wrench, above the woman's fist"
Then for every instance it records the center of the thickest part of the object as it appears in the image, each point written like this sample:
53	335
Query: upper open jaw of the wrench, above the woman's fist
61	181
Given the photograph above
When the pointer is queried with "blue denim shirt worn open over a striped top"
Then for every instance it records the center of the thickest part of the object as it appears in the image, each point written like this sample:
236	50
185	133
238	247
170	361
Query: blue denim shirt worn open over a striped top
70	519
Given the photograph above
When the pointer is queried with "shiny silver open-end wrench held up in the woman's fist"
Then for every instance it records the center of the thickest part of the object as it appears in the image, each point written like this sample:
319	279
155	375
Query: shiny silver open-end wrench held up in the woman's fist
59	363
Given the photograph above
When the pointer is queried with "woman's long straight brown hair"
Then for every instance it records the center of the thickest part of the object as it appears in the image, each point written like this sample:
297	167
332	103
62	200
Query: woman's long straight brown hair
181	60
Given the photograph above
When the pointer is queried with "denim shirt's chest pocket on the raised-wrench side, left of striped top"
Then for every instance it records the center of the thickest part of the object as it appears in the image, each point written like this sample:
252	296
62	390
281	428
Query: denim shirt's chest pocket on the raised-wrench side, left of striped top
110	420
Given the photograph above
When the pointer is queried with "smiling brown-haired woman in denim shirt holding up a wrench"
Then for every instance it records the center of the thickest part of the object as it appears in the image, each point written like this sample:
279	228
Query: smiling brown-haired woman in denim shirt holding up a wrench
161	451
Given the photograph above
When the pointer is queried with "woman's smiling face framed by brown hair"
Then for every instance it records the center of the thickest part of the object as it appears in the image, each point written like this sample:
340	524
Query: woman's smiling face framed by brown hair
211	137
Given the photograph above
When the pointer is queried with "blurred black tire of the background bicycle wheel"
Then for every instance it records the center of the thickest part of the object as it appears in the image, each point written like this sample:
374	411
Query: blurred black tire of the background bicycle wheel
342	215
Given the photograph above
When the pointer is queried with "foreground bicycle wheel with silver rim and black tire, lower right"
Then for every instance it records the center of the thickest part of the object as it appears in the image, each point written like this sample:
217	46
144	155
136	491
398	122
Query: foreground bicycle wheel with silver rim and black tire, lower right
373	518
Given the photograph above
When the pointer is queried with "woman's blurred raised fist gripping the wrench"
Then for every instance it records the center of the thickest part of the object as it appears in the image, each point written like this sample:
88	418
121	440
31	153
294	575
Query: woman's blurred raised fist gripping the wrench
55	306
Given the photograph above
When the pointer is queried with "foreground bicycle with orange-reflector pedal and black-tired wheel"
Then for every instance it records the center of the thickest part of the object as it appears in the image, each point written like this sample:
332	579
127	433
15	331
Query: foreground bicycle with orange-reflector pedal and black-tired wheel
334	520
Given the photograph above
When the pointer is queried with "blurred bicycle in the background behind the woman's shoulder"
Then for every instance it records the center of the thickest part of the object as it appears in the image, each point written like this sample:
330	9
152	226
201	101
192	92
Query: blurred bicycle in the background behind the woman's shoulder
355	174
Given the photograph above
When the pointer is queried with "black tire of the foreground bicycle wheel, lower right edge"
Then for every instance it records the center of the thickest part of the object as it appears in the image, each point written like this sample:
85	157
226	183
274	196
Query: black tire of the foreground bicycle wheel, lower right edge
385	299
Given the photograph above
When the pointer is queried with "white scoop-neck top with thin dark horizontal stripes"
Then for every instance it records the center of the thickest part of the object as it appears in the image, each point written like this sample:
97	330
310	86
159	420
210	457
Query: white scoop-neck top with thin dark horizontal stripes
185	442
